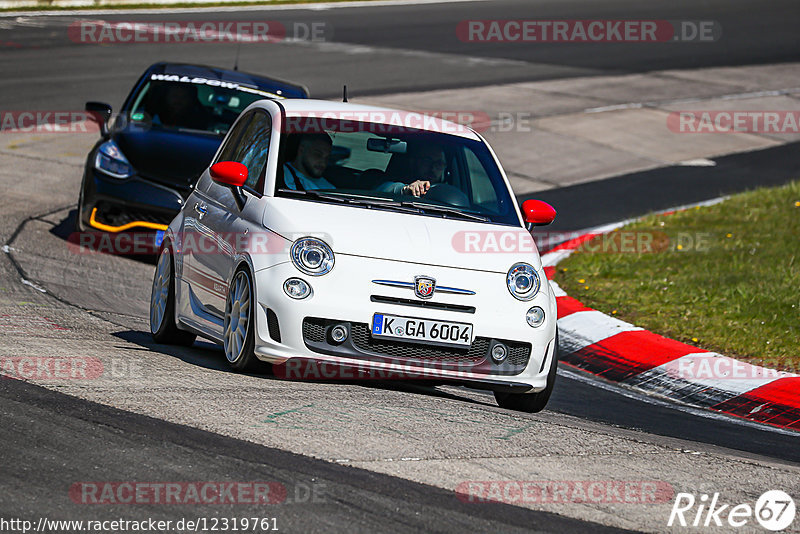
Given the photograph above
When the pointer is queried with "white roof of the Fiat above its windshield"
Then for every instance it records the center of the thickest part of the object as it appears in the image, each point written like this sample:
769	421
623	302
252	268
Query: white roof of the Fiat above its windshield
422	120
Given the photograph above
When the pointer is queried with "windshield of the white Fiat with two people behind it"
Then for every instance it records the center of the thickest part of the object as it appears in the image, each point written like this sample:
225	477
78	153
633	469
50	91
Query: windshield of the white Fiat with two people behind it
410	170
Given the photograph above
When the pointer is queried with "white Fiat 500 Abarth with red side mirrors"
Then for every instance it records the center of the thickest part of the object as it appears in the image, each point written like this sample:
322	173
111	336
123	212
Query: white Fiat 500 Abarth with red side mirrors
381	242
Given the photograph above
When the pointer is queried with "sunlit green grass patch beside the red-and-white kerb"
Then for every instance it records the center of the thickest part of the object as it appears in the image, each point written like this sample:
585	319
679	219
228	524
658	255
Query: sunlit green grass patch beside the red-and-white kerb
724	278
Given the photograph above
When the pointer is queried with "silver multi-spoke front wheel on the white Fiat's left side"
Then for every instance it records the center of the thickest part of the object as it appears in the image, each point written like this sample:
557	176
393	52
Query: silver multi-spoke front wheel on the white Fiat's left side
239	328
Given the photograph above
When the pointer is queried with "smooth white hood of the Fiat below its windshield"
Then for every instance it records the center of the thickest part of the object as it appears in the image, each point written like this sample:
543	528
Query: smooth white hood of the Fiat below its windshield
403	237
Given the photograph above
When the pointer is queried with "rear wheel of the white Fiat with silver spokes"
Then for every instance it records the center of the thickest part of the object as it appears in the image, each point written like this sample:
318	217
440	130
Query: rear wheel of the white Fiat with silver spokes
162	304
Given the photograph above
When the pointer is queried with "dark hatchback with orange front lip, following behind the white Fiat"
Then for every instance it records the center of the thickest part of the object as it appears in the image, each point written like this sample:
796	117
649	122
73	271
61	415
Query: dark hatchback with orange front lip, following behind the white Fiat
150	155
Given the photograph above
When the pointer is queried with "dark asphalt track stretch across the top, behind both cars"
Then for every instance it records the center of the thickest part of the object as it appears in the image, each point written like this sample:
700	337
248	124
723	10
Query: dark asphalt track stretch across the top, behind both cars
390	49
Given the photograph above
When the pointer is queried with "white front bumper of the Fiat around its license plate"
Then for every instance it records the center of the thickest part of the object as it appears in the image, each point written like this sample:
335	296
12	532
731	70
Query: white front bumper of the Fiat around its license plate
347	294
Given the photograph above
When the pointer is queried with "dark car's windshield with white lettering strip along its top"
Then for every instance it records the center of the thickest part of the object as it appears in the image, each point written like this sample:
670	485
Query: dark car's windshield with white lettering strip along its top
192	103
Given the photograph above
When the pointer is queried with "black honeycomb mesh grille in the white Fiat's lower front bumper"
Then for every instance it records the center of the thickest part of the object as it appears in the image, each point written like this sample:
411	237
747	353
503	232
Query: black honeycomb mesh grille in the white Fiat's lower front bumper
314	331
